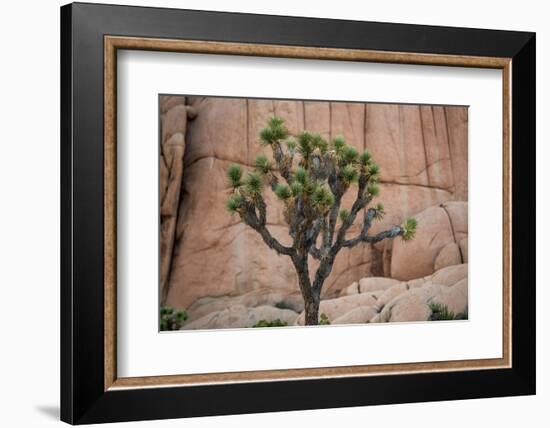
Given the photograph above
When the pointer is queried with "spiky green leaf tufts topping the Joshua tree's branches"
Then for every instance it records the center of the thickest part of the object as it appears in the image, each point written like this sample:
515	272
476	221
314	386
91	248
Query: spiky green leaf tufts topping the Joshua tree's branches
310	161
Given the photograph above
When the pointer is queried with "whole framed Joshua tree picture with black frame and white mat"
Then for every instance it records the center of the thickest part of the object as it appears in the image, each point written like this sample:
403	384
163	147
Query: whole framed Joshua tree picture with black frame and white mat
266	213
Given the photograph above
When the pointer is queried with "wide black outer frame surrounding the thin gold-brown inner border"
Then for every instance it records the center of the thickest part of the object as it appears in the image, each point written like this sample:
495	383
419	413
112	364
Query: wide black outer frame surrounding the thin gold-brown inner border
83	396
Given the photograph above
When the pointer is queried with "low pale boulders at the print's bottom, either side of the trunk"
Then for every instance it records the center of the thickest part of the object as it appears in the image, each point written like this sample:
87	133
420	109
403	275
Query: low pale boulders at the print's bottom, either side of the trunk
403	302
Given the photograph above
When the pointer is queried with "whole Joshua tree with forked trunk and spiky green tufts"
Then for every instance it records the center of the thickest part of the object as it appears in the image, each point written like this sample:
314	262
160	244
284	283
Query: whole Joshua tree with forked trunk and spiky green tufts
312	176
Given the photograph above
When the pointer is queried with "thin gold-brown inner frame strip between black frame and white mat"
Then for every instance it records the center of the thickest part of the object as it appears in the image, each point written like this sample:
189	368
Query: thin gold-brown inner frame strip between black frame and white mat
114	43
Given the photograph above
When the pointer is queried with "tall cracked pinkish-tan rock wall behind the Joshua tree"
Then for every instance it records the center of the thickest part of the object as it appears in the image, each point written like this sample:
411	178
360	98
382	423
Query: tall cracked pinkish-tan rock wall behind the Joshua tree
208	254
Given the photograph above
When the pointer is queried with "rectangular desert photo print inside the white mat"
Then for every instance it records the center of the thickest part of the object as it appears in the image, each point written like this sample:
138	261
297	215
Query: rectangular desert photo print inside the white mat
281	213
